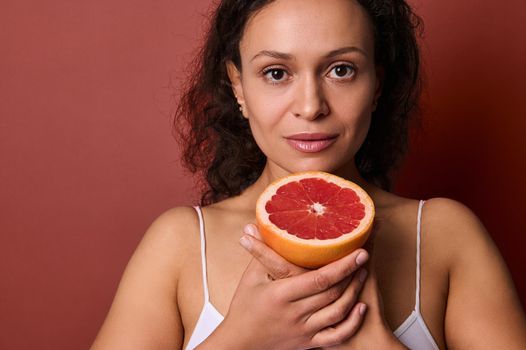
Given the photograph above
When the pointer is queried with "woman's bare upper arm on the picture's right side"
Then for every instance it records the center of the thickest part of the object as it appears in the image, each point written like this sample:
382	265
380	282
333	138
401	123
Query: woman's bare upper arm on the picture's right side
483	310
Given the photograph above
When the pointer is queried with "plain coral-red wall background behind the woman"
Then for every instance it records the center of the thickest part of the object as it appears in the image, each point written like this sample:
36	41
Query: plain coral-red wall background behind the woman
87	159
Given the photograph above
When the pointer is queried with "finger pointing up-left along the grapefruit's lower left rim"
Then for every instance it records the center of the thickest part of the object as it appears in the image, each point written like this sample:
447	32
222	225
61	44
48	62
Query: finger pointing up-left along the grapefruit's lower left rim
275	265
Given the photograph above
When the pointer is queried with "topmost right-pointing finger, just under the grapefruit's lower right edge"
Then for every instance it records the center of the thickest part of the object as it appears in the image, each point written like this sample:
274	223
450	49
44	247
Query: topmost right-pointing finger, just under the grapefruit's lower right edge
316	281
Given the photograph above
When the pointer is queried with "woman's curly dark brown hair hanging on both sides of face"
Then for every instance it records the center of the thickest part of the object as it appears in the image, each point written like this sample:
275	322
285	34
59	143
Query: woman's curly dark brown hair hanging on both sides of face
217	142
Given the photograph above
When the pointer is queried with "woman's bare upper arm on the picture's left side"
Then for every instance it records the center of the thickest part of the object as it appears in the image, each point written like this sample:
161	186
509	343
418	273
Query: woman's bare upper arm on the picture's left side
144	313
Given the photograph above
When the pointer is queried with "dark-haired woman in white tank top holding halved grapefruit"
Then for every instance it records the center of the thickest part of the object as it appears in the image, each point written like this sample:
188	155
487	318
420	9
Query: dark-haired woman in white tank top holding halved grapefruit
285	86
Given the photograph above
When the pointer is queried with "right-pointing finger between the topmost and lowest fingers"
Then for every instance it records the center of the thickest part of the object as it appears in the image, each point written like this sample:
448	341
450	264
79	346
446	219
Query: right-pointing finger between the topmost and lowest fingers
340	308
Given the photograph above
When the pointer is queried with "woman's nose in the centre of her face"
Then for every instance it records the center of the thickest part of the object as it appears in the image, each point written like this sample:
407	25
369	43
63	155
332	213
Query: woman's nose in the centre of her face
309	100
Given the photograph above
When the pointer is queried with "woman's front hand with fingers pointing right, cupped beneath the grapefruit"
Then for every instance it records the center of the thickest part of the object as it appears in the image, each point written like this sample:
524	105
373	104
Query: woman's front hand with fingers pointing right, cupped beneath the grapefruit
278	305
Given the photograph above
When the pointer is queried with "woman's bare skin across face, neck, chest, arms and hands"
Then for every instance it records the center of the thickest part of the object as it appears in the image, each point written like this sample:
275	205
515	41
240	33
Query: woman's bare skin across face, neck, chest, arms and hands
308	66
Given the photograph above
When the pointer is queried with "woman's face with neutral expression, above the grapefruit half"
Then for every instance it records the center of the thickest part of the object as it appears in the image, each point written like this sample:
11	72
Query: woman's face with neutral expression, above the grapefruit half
308	83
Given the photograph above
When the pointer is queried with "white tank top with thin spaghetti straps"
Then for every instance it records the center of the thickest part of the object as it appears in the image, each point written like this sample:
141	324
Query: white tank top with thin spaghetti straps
413	332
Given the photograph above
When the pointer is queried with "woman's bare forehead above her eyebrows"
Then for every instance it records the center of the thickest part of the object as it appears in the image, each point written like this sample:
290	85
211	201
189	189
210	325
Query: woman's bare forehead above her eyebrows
301	26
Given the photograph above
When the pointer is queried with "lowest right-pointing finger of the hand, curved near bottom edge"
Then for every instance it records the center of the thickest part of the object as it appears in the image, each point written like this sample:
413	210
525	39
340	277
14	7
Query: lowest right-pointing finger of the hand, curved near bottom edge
343	331
